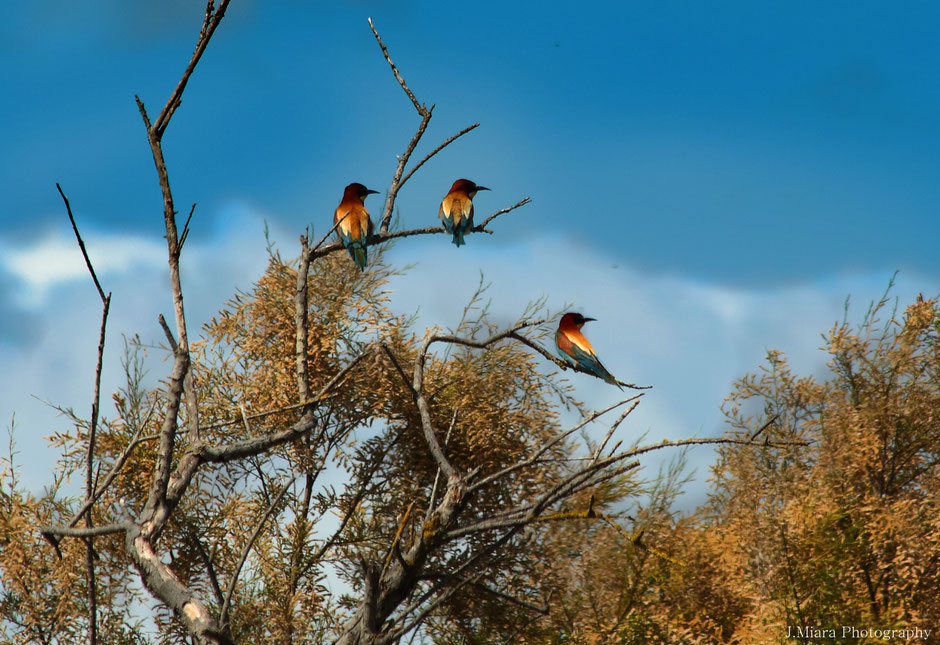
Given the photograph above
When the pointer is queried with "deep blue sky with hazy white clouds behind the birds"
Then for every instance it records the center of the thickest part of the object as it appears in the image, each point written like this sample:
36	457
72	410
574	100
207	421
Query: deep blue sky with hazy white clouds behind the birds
708	179
